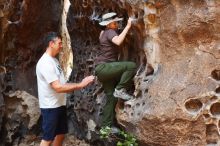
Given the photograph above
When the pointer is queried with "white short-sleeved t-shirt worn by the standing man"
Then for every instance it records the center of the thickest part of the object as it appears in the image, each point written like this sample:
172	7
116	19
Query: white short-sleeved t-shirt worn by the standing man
48	70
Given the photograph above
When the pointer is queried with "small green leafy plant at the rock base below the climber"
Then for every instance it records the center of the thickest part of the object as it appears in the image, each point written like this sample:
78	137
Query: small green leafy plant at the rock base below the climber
122	138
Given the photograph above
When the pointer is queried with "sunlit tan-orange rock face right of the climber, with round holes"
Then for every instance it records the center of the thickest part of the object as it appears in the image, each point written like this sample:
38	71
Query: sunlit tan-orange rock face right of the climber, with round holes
180	101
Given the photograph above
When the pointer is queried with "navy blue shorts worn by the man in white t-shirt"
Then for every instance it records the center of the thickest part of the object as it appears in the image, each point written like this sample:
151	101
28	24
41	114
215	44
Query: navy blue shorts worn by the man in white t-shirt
54	122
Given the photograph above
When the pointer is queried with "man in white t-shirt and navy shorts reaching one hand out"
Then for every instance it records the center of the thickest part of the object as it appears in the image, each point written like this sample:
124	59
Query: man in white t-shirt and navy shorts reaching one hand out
51	92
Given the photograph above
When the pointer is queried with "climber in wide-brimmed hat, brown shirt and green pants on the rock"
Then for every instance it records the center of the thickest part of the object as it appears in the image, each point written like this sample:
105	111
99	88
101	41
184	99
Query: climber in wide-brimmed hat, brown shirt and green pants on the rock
116	76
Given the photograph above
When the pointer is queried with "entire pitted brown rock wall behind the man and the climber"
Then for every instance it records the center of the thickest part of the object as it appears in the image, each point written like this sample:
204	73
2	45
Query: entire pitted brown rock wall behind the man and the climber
174	42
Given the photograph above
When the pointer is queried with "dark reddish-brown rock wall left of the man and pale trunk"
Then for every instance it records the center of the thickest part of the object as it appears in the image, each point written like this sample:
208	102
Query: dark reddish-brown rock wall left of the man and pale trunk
23	24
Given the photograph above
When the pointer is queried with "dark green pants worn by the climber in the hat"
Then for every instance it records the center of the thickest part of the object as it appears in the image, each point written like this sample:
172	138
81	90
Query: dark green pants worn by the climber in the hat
113	75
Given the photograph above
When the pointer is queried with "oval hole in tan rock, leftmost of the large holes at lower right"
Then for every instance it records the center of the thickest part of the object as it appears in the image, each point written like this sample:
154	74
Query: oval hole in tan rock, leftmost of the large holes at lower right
193	105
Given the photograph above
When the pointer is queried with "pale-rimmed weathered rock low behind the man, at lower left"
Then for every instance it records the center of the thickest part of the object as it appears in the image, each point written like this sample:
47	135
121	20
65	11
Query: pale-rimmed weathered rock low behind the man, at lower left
21	114
